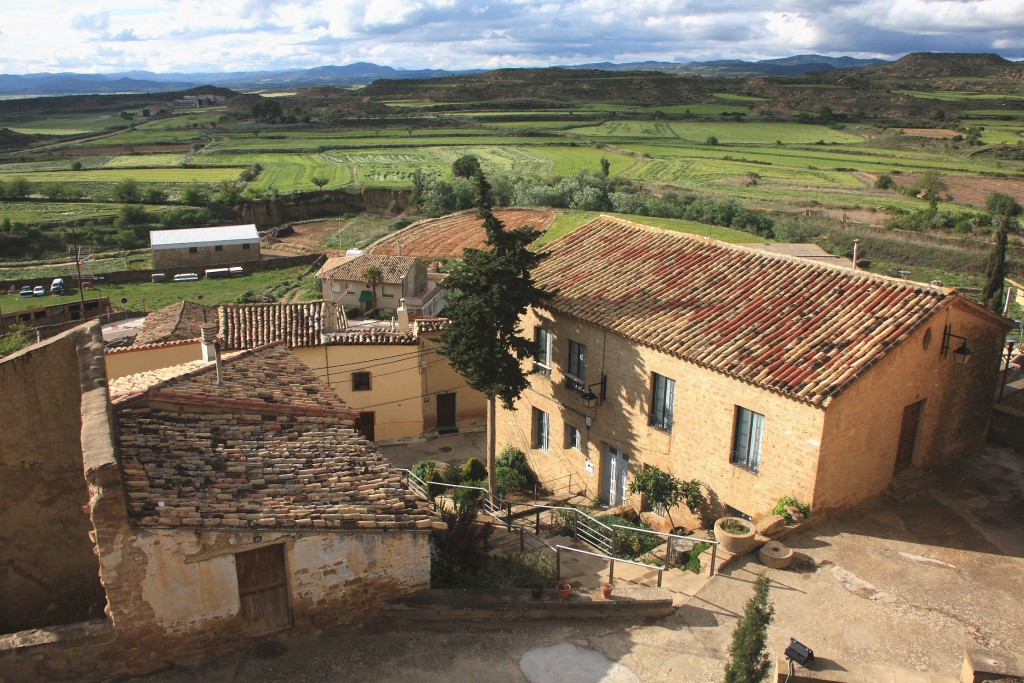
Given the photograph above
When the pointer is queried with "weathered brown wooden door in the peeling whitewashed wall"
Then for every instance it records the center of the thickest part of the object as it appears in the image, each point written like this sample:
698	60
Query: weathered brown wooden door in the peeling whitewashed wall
264	589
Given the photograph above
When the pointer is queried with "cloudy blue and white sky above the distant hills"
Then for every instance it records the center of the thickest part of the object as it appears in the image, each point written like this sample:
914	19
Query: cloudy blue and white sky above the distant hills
167	36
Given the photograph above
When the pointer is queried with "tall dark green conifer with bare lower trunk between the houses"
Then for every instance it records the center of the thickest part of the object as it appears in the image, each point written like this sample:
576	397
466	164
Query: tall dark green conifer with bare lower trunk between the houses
487	293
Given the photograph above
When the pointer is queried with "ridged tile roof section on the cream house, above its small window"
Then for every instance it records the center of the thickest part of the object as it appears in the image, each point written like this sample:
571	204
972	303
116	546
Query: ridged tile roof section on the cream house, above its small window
251	325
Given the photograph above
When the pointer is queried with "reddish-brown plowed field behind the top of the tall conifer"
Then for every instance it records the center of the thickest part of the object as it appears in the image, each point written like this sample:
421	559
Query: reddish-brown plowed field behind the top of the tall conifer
448	236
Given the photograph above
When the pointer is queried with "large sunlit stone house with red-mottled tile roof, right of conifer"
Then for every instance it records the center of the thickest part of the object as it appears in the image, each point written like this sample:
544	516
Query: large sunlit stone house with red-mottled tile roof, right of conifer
760	375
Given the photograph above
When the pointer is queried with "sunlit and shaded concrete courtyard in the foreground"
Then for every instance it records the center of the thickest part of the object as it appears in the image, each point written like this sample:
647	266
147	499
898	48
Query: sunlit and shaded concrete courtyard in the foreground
905	584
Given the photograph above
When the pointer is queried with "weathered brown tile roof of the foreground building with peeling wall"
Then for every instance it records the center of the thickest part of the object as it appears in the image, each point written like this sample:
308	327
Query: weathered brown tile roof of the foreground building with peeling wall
273	450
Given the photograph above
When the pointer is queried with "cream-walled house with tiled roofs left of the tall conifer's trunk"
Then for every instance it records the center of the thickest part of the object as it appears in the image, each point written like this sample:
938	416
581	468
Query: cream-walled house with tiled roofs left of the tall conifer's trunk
395	380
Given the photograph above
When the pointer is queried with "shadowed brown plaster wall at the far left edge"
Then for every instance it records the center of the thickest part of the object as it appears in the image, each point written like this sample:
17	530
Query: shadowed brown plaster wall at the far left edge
49	574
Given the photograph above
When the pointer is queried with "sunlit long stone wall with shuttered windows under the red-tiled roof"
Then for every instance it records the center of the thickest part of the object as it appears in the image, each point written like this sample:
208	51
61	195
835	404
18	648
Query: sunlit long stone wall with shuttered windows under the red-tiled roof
701	440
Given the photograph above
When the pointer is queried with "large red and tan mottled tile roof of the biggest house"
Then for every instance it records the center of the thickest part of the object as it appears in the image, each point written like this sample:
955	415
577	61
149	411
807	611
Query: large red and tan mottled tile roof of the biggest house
792	326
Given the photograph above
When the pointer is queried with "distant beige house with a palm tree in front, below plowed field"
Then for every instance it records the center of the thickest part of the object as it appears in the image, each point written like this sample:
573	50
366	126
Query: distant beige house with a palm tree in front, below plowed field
402	279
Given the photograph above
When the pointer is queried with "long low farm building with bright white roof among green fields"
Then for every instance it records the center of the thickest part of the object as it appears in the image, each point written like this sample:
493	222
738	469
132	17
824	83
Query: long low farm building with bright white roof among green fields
199	247
